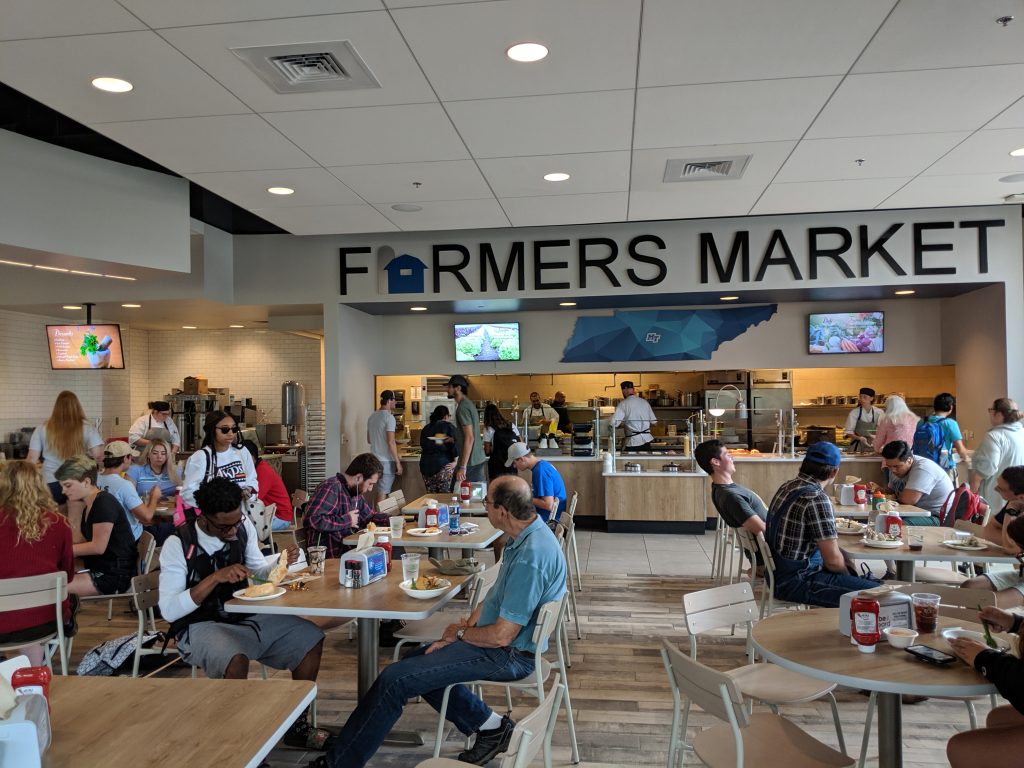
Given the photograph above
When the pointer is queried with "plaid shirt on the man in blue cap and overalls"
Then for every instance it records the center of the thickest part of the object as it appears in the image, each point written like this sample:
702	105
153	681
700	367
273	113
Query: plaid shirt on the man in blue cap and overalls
808	521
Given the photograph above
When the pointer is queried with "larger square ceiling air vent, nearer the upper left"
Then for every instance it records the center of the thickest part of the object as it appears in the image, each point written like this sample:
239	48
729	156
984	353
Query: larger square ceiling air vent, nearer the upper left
310	68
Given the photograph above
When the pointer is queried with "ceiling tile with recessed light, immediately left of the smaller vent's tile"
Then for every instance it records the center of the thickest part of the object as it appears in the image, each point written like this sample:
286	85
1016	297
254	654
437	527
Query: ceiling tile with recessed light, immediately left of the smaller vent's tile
589	173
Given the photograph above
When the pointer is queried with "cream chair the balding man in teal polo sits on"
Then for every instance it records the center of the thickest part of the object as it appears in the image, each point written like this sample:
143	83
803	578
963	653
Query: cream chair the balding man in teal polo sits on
548	621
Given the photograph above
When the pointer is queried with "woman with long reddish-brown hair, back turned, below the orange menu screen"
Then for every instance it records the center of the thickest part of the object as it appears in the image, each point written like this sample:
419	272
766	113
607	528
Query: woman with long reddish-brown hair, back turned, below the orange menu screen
65	435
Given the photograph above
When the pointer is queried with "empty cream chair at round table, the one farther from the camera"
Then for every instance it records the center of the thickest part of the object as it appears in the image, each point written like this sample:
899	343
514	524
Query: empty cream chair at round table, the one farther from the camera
723	607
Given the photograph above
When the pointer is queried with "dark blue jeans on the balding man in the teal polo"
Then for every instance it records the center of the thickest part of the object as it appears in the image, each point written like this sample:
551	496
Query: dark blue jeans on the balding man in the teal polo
425	675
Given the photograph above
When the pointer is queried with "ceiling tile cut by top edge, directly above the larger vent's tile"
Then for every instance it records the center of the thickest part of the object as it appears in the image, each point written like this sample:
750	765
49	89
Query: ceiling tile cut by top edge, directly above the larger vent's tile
159	14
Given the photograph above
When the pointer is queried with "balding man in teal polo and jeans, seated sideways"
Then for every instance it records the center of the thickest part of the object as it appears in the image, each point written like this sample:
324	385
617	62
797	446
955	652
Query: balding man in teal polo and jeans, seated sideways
495	644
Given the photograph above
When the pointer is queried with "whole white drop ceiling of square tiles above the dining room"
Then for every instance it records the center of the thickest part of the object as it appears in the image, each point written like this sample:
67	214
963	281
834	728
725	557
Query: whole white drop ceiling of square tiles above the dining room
927	94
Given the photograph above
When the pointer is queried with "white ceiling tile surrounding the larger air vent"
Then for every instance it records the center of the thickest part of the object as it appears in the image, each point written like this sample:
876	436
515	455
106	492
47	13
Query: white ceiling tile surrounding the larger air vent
373	35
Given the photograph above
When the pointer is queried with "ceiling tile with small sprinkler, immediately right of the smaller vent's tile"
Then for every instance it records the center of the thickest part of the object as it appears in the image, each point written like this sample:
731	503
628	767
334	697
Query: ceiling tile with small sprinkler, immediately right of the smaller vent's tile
885	157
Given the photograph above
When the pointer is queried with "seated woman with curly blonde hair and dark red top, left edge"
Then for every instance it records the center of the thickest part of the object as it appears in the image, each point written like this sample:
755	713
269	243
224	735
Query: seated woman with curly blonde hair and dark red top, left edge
35	540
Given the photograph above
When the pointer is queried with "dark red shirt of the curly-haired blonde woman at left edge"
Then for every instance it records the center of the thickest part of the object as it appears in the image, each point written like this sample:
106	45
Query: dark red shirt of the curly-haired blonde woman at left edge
22	559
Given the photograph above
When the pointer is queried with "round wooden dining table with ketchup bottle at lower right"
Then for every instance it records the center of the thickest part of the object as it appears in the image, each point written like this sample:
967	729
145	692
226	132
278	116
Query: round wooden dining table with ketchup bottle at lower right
809	643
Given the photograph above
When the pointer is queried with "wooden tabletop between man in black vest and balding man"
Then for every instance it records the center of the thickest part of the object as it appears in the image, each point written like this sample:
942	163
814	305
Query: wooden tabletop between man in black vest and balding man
326	598
